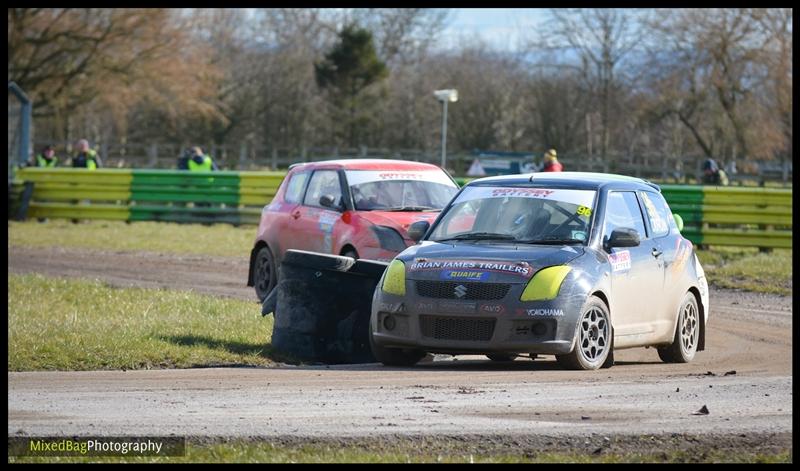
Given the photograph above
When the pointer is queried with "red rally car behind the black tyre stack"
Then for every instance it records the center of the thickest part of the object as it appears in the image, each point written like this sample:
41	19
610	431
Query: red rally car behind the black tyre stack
360	208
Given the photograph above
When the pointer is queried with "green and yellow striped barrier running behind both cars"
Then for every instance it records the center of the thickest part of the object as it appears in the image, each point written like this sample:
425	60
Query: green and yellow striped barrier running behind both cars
760	217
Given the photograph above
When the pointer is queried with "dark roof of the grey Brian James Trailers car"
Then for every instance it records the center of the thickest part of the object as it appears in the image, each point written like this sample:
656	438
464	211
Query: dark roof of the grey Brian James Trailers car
577	180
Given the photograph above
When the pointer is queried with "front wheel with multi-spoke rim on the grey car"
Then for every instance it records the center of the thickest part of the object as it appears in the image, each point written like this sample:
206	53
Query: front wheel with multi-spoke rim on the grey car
593	339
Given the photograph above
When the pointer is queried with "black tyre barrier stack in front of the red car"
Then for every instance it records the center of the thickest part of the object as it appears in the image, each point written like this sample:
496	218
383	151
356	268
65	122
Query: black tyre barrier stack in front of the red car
322	305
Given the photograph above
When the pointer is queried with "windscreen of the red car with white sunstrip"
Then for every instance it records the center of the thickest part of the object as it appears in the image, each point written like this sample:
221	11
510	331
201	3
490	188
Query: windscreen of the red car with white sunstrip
400	190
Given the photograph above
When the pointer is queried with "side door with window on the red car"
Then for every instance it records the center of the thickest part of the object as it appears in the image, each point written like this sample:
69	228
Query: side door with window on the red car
313	224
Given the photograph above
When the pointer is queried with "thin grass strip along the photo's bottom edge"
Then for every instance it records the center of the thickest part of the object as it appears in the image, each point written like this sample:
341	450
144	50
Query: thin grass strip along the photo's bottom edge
407	452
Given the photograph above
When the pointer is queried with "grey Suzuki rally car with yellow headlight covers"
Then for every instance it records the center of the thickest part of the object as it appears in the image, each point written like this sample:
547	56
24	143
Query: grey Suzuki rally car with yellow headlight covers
572	264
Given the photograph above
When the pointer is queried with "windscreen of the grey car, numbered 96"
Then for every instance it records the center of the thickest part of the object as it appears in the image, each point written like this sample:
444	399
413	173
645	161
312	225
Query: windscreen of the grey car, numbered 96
528	215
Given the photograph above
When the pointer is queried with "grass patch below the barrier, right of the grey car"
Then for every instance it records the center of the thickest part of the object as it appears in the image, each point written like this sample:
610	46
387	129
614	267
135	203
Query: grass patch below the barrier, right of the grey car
747	269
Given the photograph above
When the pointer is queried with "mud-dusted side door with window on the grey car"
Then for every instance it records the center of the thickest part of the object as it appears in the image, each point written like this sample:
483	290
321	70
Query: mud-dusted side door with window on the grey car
636	275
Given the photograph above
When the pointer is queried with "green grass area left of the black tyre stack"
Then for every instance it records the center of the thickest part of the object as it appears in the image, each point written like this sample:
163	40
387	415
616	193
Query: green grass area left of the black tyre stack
59	324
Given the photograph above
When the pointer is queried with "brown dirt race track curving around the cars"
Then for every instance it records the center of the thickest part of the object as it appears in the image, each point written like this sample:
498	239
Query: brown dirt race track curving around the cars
749	333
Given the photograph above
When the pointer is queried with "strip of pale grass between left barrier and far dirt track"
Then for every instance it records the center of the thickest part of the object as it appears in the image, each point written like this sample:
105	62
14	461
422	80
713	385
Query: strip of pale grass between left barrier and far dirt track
218	239
